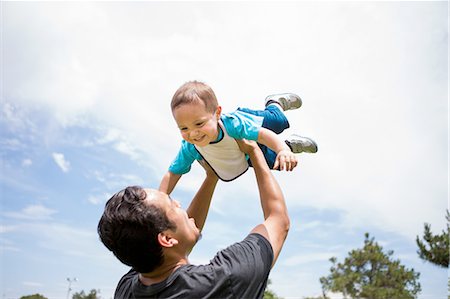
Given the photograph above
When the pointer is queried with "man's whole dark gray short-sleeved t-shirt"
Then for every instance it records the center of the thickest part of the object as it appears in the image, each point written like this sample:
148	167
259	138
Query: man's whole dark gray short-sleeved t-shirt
239	271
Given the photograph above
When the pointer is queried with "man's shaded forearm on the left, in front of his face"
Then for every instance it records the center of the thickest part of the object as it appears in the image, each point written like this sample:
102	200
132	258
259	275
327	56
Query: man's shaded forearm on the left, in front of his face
199	207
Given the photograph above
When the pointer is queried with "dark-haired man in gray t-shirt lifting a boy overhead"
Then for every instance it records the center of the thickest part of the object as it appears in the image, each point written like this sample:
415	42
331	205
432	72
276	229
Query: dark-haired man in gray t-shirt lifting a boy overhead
150	232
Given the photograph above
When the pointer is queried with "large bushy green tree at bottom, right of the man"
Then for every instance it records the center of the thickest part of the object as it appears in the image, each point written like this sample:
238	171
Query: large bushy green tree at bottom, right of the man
371	273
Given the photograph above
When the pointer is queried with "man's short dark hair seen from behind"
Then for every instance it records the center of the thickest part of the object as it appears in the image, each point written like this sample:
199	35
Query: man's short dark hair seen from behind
129	227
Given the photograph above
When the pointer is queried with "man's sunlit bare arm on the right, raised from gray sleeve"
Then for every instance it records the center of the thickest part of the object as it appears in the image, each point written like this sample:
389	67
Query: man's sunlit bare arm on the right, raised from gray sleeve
276	219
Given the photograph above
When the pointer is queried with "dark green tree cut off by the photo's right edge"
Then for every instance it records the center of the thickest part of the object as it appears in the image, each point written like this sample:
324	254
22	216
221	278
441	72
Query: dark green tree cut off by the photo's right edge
435	248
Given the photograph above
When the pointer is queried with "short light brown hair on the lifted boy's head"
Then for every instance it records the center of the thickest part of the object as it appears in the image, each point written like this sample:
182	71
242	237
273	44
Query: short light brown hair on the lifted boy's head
193	92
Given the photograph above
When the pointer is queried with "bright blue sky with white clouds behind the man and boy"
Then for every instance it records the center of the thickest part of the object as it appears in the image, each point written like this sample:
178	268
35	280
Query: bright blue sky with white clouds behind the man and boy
84	112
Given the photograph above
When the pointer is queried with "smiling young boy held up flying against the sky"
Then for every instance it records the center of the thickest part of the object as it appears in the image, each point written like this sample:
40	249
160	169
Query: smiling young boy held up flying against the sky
210	135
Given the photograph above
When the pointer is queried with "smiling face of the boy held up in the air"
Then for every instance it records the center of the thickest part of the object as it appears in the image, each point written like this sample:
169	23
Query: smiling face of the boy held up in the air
197	126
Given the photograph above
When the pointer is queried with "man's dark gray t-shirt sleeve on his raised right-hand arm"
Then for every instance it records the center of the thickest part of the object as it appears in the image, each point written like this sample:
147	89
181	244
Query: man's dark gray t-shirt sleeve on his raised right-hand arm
248	264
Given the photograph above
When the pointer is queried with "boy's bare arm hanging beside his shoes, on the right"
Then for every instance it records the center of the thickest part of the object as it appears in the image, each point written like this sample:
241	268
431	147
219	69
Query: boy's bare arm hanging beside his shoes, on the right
285	160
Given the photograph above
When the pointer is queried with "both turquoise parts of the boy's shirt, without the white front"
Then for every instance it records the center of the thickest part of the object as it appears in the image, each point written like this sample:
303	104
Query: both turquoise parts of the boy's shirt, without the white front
238	124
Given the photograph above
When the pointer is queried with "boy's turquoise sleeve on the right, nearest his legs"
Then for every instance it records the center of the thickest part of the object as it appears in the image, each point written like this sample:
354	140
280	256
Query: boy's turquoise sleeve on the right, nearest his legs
242	125
